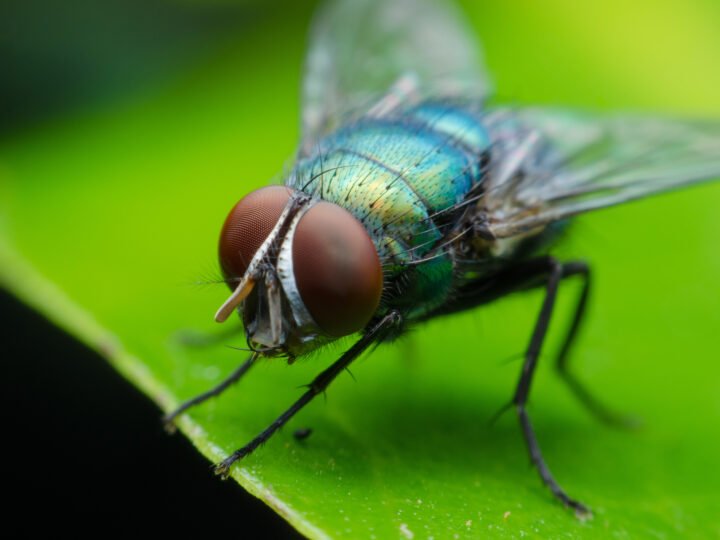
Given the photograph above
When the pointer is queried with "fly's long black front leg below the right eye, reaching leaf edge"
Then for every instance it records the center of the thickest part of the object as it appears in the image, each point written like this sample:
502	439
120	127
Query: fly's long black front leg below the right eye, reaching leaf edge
317	386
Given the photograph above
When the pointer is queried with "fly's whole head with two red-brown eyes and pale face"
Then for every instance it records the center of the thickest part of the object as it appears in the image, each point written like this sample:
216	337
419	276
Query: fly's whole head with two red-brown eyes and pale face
303	272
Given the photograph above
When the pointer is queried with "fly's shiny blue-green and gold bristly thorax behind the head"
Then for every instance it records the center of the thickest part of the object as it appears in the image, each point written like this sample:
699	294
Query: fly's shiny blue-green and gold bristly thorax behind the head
402	176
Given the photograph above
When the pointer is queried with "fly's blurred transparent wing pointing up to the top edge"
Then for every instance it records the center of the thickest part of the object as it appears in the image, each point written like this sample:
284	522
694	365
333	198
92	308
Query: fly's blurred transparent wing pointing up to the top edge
361	50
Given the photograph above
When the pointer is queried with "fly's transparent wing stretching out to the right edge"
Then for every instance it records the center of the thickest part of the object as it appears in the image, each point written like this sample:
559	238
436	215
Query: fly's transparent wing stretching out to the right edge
550	164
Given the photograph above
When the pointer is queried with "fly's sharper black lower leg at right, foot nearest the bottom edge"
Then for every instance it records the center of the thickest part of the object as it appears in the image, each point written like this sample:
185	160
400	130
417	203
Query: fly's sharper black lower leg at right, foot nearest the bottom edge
556	272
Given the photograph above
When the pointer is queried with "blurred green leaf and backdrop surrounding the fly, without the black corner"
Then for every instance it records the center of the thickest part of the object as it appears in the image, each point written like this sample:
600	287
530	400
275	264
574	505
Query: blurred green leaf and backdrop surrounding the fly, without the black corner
128	129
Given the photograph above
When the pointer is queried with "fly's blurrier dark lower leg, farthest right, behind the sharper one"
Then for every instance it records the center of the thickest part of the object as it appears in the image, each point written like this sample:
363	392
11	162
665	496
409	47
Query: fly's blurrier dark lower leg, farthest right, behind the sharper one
596	407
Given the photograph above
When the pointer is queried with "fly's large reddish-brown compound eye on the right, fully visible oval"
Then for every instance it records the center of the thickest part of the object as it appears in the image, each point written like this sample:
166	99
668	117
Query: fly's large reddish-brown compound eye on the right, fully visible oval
337	269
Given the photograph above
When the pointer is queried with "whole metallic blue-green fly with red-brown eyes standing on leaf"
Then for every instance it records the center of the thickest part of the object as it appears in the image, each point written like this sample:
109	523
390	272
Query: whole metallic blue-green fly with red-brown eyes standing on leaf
411	198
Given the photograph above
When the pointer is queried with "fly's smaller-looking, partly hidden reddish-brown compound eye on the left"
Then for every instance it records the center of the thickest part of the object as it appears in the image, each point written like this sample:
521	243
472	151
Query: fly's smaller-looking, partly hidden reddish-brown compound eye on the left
247	226
